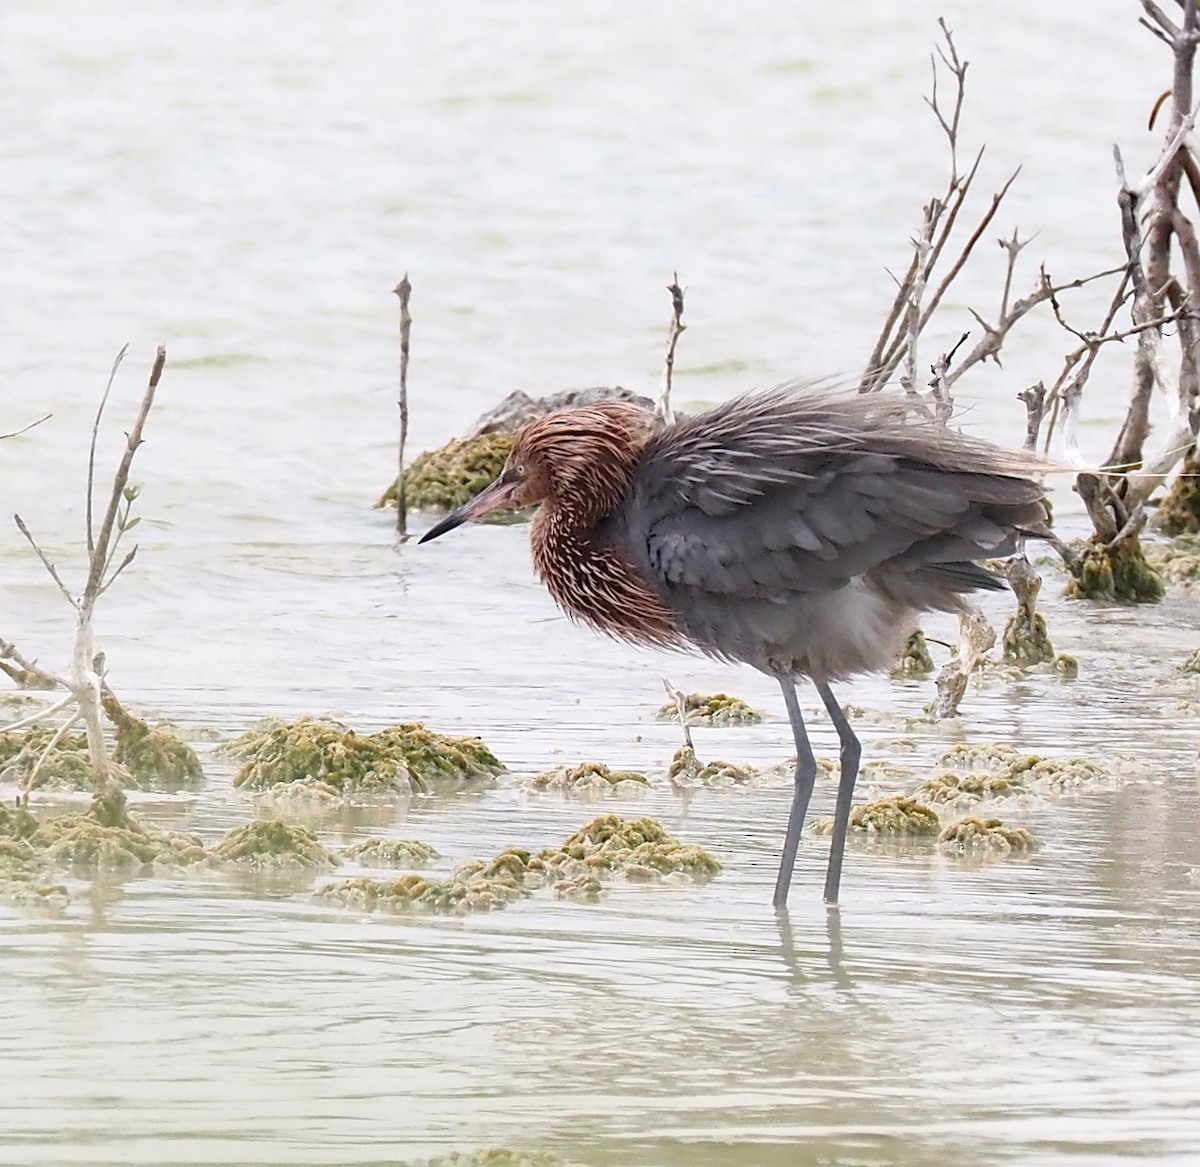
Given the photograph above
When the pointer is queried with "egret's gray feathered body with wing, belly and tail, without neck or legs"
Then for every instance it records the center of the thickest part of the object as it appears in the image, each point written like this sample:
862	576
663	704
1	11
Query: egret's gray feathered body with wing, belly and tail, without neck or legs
801	530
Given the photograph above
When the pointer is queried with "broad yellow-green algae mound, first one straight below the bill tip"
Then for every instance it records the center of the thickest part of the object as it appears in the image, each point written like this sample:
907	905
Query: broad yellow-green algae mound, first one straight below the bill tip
333	758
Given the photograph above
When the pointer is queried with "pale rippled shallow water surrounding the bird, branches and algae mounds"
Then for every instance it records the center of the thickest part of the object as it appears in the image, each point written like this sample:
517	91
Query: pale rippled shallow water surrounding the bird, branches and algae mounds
247	183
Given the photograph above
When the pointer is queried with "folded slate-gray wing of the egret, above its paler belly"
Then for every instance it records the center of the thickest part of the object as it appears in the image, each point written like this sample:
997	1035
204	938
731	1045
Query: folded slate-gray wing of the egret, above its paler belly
794	492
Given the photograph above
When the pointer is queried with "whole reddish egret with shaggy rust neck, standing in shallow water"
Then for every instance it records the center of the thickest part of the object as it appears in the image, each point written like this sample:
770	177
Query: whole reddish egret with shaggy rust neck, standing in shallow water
799	530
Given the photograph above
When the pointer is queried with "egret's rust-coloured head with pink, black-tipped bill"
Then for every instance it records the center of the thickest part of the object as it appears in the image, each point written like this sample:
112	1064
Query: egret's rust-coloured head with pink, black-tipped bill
574	458
